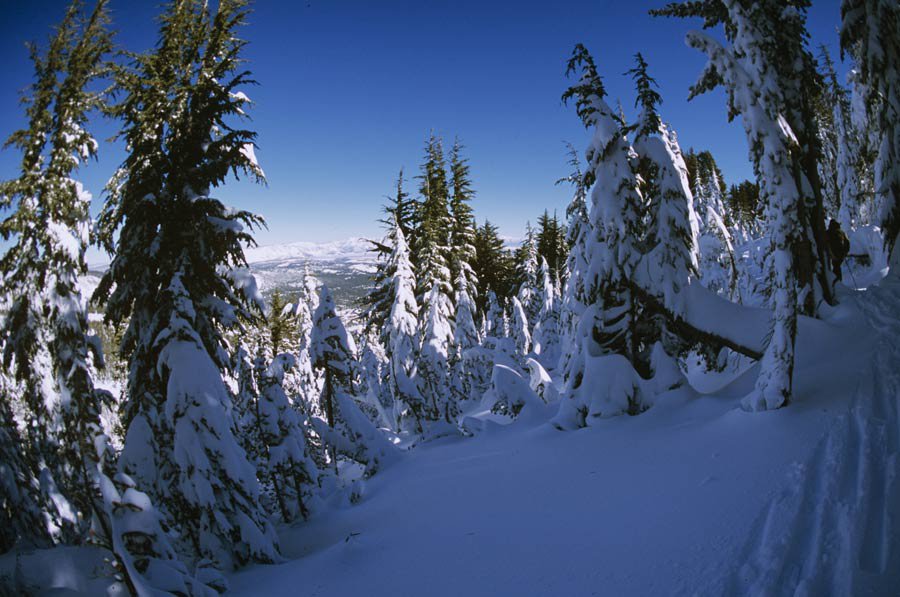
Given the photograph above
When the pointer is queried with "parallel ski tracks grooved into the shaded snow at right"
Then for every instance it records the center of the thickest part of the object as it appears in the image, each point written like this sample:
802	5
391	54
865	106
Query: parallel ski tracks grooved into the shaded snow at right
832	529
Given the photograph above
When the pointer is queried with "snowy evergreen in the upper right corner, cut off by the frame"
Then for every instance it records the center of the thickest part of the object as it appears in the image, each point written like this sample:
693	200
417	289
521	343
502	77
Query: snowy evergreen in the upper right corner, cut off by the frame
870	33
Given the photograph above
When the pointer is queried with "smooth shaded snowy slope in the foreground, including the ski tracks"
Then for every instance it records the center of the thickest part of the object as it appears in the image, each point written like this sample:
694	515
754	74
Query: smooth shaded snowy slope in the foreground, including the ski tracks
692	497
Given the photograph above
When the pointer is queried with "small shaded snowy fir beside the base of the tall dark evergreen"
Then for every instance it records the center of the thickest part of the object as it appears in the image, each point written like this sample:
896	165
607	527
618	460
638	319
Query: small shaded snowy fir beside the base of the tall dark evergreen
288	465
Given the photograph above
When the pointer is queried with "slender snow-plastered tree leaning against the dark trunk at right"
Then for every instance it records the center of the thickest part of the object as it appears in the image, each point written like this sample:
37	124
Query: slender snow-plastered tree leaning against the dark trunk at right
747	74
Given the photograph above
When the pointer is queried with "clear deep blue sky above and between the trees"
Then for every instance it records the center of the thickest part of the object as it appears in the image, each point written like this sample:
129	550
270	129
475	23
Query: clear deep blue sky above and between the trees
349	90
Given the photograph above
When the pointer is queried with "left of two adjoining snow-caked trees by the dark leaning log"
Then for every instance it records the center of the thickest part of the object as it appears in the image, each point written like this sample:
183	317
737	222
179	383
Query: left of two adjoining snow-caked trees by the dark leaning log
612	251
